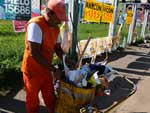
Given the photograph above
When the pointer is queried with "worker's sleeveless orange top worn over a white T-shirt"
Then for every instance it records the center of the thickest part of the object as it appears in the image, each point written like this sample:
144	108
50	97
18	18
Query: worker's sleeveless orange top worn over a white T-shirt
49	36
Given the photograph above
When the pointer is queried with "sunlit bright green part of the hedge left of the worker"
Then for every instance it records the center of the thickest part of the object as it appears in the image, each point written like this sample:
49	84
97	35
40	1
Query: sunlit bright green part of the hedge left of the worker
11	51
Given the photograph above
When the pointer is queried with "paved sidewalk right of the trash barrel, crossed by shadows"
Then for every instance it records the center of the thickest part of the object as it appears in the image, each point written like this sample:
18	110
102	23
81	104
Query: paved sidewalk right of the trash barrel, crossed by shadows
136	66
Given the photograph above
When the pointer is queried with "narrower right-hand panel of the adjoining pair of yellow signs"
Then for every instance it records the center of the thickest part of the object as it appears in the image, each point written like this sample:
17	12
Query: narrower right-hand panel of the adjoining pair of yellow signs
108	13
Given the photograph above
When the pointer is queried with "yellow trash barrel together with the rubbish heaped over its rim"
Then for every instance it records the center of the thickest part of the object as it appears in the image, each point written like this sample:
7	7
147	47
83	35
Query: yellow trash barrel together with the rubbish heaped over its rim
79	87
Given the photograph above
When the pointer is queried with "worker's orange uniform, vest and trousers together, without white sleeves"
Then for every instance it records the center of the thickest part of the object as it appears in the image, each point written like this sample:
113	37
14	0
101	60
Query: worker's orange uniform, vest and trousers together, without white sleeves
36	77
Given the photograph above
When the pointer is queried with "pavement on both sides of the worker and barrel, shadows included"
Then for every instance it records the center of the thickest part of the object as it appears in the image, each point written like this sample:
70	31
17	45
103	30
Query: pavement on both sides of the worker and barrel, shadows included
134	62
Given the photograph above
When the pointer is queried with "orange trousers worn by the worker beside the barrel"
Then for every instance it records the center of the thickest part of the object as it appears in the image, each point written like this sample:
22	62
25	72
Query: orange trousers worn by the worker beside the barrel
34	84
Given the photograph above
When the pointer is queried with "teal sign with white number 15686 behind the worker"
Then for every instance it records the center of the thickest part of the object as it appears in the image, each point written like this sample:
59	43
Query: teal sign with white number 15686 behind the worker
15	9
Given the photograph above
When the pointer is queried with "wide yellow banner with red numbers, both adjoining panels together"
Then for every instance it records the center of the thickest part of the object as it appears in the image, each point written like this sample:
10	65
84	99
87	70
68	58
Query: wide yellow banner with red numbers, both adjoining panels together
98	12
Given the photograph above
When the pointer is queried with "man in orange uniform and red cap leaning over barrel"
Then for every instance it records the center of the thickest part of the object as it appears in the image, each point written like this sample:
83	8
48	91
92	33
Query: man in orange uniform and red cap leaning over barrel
41	43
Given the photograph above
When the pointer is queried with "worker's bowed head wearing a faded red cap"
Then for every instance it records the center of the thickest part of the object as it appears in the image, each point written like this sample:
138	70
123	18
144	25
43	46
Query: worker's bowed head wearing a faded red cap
56	12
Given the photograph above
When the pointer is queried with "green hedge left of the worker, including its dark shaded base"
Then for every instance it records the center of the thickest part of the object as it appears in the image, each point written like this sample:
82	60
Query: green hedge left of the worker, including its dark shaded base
11	53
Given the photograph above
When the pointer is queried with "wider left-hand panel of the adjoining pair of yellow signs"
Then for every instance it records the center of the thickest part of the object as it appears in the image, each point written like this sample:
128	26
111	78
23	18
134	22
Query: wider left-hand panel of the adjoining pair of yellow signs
92	12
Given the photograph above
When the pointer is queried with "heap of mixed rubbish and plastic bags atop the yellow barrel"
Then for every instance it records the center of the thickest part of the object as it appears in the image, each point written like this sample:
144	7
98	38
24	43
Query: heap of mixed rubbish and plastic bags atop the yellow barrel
96	75
